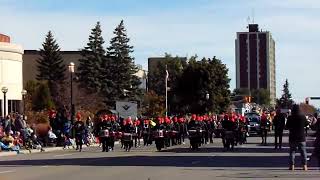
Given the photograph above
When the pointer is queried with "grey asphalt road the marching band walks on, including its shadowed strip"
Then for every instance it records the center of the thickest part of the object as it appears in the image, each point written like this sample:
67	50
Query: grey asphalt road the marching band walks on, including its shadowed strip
249	161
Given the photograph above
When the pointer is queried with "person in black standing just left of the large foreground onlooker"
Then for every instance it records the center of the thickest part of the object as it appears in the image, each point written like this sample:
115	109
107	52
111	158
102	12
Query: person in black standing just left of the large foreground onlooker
279	122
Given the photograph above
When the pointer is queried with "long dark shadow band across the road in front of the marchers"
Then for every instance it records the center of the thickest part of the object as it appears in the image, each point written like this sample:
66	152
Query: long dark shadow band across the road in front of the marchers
158	161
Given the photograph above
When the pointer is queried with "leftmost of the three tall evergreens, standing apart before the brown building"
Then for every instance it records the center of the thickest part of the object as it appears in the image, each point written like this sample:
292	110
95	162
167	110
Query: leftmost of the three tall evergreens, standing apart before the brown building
50	65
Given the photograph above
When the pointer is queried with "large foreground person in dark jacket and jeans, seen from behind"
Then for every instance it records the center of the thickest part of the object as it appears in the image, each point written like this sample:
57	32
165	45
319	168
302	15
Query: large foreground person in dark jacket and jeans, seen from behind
297	137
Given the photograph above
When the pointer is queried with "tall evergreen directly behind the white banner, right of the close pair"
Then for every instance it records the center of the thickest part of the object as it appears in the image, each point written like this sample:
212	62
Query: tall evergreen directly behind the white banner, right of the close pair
119	69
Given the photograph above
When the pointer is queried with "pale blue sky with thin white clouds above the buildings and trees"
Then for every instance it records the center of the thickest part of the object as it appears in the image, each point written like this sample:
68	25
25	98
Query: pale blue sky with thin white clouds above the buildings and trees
180	27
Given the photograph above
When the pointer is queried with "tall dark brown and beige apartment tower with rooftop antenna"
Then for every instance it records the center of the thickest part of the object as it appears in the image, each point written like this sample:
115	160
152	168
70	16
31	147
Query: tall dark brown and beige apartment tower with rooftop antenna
255	61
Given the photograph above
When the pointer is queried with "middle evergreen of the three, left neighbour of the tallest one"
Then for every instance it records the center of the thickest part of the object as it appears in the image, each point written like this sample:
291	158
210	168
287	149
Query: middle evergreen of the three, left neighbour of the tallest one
93	55
